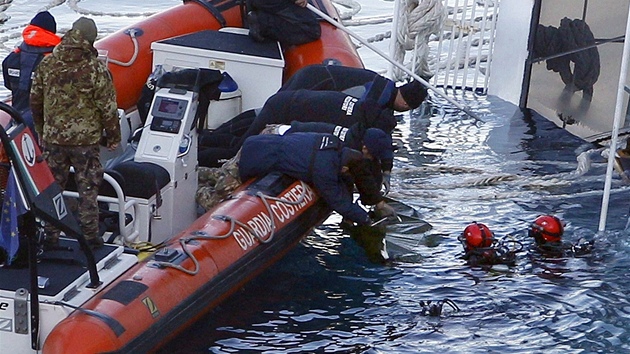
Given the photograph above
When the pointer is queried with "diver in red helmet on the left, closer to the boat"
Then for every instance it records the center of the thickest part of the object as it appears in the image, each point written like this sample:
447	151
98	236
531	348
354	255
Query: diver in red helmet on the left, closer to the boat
482	249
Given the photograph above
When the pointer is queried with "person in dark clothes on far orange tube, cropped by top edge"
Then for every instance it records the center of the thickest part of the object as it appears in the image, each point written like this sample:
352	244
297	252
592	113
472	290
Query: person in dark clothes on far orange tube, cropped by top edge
286	21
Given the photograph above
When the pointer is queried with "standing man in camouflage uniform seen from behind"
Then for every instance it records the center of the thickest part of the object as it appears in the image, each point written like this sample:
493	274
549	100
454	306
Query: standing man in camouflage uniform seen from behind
73	101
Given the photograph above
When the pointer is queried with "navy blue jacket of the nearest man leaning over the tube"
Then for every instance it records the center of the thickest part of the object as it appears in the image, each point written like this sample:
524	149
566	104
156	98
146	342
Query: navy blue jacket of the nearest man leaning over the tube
311	157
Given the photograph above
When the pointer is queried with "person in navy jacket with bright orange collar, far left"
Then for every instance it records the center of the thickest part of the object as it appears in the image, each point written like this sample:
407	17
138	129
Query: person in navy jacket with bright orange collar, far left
38	40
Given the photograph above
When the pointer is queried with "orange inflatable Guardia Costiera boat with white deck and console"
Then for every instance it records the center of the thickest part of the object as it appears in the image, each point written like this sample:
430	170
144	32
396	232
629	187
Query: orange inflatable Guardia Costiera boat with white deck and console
134	306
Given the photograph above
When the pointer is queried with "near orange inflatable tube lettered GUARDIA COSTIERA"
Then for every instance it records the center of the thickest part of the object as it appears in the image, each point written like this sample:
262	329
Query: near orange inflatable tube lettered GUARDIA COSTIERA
152	301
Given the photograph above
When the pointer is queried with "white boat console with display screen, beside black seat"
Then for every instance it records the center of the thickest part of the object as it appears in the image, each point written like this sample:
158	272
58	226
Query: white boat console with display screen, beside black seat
169	140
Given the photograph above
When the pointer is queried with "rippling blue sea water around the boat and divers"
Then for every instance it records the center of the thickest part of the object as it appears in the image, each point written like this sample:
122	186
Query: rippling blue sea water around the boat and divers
502	170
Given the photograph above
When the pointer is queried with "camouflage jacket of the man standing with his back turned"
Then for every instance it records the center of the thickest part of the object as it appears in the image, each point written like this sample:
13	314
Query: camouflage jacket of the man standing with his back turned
72	96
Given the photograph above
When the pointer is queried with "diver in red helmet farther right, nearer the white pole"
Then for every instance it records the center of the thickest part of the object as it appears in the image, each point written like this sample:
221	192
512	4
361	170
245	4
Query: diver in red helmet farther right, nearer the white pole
547	231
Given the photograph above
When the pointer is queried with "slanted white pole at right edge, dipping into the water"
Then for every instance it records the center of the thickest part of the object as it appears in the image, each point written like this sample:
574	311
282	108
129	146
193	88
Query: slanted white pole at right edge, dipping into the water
623	74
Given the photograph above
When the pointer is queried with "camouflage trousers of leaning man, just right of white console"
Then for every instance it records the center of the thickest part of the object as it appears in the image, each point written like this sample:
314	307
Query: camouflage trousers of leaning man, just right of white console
215	184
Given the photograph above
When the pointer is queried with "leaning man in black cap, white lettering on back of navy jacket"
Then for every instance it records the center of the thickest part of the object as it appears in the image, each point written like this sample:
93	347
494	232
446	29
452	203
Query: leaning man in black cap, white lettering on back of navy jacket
374	109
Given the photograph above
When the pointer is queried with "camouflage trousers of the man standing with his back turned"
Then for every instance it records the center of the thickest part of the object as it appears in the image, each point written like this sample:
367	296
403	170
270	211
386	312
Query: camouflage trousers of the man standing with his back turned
88	175
